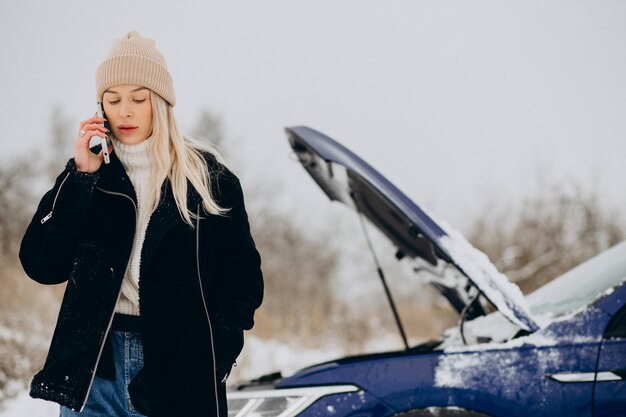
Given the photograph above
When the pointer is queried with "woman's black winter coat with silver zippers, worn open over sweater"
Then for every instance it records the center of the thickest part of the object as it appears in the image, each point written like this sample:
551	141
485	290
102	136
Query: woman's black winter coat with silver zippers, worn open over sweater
199	287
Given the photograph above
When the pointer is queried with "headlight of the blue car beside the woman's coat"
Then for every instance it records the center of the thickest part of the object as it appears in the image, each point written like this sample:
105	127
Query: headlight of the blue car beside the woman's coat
279	402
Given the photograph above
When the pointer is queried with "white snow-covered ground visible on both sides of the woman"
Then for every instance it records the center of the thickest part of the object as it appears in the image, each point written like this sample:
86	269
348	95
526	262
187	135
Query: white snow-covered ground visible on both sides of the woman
259	357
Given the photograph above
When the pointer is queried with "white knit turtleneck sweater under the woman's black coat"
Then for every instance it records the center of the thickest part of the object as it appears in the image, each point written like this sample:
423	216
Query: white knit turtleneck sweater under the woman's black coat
137	162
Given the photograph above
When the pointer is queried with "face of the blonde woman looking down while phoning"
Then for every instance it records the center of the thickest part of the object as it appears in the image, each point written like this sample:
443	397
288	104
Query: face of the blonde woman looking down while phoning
128	109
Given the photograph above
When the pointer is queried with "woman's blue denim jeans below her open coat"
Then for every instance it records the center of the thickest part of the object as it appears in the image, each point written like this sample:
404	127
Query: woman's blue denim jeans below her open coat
110	398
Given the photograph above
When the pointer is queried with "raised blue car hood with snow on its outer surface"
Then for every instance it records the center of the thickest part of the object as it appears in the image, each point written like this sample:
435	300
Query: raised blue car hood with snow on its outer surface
442	255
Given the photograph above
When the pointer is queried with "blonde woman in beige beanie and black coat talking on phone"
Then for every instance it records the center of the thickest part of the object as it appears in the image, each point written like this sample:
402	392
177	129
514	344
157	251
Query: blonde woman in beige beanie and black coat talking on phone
162	273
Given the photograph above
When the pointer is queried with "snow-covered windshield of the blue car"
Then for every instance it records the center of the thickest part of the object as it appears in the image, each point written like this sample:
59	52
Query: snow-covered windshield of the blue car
582	285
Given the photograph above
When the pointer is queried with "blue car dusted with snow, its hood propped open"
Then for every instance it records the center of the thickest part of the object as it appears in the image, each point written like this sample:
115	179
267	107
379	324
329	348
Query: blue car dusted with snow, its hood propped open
560	351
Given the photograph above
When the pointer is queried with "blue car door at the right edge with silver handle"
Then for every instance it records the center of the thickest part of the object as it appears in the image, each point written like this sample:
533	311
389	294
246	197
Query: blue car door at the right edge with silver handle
610	379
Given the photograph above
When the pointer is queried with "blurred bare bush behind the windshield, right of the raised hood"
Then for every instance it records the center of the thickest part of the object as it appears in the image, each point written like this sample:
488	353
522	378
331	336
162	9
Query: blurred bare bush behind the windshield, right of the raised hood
550	232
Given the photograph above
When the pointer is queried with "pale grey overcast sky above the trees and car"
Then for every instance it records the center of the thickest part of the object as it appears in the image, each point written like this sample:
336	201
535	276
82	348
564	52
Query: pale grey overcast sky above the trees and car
456	102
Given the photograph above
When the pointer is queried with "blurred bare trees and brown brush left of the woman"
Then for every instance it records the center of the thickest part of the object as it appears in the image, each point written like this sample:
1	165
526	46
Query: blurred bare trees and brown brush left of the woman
27	309
